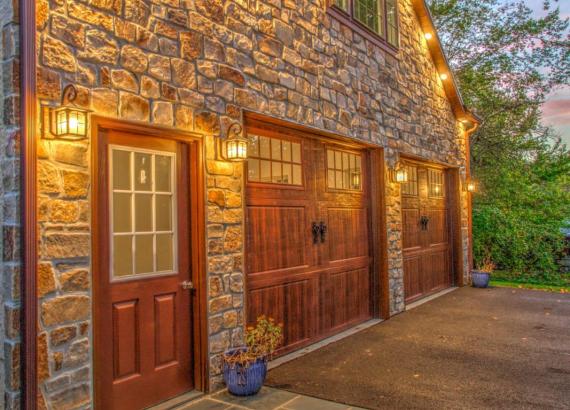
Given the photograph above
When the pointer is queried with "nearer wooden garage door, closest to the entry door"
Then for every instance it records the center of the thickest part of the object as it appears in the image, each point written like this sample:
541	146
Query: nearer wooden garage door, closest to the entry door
307	247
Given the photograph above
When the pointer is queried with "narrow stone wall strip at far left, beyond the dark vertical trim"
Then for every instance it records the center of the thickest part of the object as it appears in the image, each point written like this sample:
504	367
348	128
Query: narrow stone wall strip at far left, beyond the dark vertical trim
9	208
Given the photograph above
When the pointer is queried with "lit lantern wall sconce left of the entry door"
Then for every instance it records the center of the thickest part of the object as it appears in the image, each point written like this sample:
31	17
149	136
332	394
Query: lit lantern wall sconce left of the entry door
66	122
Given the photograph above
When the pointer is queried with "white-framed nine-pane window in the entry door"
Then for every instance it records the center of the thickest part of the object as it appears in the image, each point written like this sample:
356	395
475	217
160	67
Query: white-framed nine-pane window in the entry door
142	212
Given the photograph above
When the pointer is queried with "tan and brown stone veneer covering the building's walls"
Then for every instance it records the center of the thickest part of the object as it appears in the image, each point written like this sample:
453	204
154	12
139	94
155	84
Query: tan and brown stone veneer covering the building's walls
194	65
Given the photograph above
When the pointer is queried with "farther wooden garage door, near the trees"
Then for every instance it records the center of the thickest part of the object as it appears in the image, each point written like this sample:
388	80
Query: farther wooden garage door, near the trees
425	220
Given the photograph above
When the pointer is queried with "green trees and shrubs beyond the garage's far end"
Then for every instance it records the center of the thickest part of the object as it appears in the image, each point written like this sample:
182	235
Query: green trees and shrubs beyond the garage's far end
506	61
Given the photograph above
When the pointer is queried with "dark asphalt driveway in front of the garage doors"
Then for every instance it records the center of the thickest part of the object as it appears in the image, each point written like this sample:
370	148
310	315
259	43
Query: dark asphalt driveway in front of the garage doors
493	348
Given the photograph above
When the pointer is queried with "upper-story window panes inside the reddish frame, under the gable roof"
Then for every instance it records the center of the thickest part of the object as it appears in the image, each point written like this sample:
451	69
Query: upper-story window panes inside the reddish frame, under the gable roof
378	16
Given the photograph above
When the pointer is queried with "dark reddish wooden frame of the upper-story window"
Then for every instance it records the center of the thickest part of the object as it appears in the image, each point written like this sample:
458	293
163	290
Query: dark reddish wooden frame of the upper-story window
347	18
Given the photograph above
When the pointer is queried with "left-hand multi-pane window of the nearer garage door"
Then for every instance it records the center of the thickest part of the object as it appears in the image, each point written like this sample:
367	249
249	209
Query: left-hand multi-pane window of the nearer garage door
274	161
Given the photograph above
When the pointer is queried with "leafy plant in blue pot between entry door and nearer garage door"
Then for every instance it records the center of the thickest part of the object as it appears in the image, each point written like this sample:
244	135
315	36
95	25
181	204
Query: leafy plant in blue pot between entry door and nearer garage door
245	367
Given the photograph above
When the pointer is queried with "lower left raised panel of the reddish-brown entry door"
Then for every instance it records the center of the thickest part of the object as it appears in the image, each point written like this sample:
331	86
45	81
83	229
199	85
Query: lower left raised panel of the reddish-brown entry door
126	355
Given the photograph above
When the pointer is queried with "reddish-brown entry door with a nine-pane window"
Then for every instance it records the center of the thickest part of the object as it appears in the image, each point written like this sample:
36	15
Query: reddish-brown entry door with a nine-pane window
143	313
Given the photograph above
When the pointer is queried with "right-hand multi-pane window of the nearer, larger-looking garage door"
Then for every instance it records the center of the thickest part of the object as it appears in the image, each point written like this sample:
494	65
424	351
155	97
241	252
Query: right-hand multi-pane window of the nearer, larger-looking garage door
344	170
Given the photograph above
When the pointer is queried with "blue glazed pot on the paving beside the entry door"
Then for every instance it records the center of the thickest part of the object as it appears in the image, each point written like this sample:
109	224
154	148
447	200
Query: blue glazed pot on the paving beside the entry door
244	381
